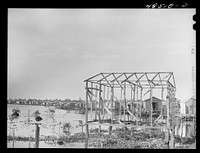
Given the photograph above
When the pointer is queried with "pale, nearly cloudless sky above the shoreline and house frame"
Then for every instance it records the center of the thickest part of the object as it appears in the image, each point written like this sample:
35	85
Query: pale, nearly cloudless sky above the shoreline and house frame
52	51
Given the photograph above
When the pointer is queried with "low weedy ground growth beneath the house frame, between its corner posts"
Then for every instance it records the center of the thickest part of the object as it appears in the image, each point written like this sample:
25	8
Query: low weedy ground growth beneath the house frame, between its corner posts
141	140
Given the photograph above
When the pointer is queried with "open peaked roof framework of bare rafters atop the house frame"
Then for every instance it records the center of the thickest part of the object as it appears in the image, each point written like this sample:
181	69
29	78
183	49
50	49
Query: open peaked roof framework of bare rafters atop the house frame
139	78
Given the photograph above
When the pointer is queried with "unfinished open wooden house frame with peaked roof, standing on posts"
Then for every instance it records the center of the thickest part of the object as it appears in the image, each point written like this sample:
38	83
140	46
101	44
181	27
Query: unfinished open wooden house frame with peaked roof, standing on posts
128	100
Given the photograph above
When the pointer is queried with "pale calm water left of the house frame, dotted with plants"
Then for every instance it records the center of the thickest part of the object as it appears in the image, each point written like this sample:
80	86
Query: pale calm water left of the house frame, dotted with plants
49	125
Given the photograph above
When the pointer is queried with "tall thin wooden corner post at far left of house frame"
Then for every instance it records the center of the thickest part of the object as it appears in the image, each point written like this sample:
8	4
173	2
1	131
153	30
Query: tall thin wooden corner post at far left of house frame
86	118
